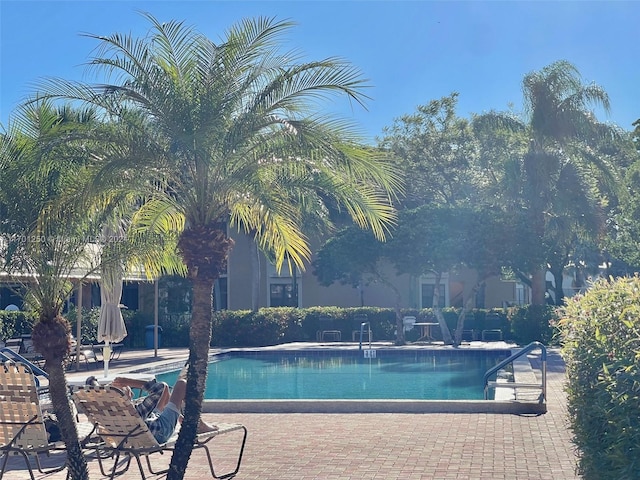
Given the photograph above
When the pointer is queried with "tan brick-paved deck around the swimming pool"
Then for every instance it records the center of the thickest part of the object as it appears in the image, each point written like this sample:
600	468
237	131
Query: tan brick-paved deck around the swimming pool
376	446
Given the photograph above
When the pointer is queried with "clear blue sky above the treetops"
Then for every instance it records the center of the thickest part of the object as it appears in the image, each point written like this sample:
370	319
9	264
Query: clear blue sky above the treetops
411	52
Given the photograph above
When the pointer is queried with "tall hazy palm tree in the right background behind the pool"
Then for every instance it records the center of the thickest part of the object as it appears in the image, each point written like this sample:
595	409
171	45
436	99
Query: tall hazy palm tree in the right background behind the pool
562	134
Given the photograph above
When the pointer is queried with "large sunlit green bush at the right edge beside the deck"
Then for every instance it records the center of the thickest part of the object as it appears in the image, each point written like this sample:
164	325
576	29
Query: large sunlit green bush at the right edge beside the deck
601	340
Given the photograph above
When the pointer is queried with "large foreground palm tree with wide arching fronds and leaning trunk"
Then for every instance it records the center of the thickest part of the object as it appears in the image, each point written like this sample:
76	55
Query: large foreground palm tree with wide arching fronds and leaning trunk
231	133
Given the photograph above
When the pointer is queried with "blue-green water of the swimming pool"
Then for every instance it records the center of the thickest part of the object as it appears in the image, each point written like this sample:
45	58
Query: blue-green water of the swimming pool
421	375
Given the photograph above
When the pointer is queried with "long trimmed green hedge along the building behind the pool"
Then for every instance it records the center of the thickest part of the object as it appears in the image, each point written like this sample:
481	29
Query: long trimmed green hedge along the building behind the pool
270	326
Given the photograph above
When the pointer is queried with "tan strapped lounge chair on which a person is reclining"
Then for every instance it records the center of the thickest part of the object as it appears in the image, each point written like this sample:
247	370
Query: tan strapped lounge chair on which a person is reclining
124	432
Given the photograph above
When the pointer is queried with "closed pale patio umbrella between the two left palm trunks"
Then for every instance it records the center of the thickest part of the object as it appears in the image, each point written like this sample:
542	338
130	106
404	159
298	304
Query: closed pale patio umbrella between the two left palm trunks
111	327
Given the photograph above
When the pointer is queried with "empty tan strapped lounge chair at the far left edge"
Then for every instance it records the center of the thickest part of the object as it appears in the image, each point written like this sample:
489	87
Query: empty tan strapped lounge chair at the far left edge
22	427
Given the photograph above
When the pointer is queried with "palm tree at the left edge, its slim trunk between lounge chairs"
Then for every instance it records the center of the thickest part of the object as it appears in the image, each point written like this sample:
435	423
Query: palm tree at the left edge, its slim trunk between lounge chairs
45	237
